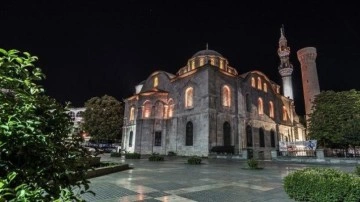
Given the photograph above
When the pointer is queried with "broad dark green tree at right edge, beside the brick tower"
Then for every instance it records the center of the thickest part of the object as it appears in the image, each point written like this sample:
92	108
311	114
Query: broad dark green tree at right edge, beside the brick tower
335	121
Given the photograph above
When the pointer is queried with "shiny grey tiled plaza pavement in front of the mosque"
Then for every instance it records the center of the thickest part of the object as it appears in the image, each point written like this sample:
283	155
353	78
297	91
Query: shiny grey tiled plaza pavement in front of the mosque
174	180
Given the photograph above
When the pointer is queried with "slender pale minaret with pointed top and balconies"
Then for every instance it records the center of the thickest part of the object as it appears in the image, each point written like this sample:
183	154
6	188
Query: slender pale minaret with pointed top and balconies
285	67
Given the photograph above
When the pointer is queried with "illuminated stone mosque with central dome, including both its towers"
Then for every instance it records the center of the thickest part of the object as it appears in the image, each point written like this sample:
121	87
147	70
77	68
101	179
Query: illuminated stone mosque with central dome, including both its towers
207	107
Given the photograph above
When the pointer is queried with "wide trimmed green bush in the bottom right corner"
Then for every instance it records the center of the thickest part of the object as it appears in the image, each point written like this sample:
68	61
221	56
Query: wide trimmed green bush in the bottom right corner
322	184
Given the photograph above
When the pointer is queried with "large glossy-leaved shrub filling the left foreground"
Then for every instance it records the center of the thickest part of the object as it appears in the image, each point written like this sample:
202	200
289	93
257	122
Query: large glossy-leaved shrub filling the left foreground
39	155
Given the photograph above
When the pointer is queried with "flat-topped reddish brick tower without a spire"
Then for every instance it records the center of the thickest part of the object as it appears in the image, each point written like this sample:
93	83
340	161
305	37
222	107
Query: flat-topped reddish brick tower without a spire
307	57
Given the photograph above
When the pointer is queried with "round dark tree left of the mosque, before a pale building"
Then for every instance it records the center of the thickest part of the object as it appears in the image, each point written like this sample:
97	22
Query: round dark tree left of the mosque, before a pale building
103	117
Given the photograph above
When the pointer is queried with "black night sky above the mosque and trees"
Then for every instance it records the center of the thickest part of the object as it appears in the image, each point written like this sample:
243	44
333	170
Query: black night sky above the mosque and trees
91	48
